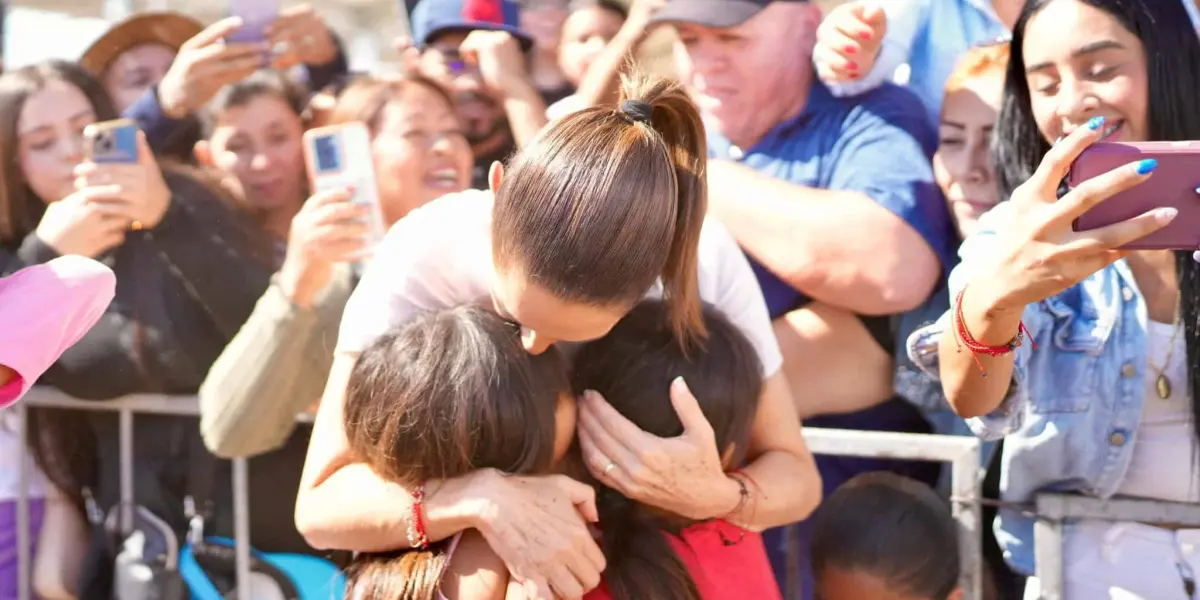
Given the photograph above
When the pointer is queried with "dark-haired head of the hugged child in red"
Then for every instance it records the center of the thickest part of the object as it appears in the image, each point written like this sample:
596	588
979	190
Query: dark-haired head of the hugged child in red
634	365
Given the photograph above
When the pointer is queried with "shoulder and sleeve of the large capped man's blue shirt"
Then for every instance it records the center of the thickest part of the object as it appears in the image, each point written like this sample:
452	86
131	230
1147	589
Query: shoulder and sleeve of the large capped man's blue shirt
879	145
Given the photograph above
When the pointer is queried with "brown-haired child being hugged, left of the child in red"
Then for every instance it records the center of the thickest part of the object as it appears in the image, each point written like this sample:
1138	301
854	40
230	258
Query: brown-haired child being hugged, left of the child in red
448	393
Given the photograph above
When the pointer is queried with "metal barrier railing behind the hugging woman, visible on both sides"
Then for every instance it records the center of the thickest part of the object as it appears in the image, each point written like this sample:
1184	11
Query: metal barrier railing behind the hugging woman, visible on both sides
962	453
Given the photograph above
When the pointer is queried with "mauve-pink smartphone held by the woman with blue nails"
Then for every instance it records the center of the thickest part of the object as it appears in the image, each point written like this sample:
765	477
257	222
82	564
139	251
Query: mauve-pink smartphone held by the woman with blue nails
1174	184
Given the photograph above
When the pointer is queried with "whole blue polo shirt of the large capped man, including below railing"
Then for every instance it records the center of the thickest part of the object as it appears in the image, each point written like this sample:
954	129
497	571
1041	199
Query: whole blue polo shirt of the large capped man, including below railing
880	145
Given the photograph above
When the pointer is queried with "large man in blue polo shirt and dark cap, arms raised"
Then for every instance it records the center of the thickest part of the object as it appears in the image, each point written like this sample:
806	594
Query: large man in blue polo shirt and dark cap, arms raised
833	201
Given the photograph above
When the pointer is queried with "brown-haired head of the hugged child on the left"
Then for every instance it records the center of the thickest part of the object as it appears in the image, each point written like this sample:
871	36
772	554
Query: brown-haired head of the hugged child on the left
453	392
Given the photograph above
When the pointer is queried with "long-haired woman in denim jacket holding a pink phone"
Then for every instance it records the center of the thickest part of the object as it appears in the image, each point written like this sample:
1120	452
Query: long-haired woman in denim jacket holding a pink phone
1083	357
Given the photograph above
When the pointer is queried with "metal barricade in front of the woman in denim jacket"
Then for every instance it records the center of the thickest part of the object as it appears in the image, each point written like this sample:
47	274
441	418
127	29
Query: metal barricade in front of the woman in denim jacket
1054	509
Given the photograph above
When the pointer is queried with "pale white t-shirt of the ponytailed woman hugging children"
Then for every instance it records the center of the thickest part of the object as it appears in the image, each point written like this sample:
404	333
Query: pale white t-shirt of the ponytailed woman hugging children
441	256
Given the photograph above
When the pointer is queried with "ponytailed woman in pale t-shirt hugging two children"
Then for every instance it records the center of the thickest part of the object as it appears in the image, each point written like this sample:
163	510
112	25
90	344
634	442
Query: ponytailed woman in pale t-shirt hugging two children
605	208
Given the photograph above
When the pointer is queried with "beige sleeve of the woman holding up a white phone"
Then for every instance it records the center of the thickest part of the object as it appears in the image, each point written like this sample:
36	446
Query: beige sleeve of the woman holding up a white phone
274	369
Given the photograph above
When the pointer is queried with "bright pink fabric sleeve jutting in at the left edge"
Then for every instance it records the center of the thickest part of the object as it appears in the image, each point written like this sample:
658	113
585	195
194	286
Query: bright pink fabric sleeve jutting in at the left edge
44	311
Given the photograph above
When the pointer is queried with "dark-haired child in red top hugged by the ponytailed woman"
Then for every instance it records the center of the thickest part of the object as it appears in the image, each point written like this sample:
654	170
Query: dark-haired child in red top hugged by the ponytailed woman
632	368
